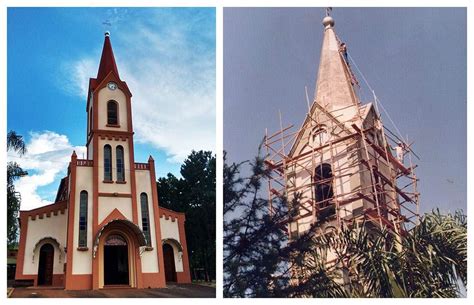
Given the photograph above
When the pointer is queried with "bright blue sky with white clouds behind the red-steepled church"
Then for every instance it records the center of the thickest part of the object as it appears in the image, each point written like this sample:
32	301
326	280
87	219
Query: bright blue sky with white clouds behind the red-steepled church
167	57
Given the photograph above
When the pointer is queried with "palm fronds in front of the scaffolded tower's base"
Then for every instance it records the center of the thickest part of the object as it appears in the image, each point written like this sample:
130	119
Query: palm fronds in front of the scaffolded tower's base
430	261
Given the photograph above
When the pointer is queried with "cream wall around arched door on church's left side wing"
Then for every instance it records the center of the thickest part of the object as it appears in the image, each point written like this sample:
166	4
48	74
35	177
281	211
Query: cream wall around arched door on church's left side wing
38	229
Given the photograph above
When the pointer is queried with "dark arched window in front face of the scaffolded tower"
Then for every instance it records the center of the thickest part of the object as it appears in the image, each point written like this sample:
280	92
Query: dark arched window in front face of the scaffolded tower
323	190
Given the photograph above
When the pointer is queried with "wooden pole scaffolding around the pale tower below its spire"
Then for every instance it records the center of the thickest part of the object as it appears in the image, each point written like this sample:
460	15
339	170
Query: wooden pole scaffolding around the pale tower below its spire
367	182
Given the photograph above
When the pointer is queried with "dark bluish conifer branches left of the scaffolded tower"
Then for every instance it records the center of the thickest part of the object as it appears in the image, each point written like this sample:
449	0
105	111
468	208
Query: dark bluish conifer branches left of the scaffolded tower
256	252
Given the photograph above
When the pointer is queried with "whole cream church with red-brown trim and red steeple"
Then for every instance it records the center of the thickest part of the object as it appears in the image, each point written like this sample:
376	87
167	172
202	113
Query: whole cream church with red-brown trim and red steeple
105	228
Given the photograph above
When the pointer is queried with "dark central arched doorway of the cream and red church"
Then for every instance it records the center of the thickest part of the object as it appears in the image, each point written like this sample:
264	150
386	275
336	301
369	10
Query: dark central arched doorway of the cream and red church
116	271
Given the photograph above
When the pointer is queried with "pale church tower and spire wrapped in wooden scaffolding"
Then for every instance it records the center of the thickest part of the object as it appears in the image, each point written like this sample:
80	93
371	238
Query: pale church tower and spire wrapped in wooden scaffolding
342	167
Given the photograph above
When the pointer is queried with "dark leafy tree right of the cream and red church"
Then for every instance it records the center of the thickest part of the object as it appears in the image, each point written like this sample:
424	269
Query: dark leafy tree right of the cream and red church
194	194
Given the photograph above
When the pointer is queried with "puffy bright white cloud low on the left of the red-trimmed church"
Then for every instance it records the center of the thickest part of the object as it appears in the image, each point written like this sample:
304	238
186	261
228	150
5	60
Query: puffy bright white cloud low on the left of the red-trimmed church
46	161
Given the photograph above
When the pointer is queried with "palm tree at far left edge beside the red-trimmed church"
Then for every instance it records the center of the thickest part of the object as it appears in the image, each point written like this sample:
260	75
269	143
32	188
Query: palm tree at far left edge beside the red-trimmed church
14	171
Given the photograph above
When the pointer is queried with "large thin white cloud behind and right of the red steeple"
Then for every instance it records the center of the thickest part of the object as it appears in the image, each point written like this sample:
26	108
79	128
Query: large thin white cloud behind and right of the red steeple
172	79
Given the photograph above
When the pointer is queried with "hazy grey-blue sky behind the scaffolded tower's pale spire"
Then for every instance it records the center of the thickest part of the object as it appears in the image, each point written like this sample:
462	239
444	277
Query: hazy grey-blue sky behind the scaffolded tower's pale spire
414	59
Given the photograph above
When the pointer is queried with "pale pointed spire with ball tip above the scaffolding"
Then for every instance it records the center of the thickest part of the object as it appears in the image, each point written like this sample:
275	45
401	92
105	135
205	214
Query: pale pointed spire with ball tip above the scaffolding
334	89
